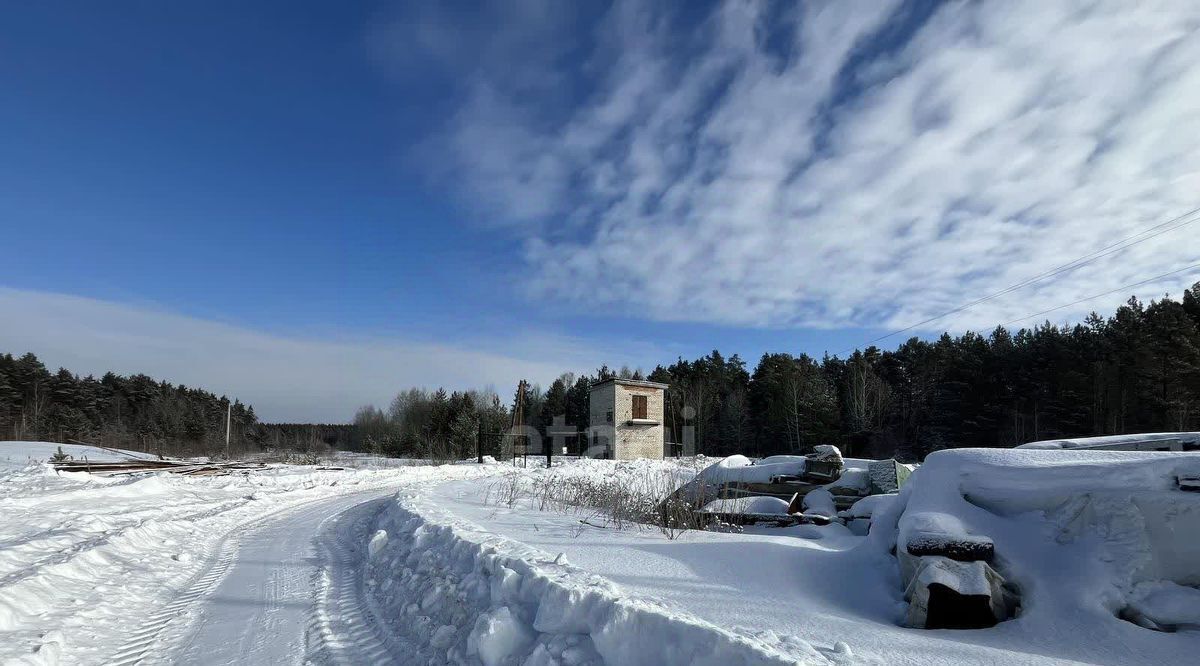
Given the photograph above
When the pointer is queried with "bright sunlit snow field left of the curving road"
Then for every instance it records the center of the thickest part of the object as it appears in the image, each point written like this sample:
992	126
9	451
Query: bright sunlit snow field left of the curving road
86	560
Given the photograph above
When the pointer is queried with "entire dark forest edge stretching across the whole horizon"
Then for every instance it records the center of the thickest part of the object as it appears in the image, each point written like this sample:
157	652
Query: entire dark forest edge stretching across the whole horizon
1136	371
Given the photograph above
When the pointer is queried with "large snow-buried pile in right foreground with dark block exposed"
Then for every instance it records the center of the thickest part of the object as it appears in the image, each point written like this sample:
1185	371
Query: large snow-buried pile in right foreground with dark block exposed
1071	532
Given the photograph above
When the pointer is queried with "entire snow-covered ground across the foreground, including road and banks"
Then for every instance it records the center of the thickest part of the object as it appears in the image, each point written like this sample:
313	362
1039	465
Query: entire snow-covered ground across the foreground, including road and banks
447	566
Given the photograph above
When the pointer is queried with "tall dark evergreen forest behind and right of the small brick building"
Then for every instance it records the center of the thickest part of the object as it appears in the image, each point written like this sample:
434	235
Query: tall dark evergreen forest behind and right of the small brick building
1135	371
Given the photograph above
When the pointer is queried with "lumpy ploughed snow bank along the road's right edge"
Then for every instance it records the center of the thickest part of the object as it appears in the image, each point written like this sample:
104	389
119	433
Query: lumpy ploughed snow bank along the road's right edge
469	597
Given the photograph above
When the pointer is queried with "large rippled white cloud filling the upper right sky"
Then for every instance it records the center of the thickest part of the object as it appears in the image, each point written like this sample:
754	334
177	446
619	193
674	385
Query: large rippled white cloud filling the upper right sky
709	178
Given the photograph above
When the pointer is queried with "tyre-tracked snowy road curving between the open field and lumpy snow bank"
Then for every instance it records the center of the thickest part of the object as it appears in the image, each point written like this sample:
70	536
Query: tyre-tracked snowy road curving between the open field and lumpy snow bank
290	595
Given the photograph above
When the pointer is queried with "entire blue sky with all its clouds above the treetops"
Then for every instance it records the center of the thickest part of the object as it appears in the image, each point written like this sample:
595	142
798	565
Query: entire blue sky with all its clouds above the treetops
554	185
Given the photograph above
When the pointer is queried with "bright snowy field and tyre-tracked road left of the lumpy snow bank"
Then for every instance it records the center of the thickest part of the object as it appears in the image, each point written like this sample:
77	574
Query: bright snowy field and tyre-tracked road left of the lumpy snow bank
256	568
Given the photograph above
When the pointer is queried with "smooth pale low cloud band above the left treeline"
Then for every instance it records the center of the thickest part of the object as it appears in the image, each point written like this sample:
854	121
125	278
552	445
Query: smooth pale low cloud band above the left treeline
284	379
